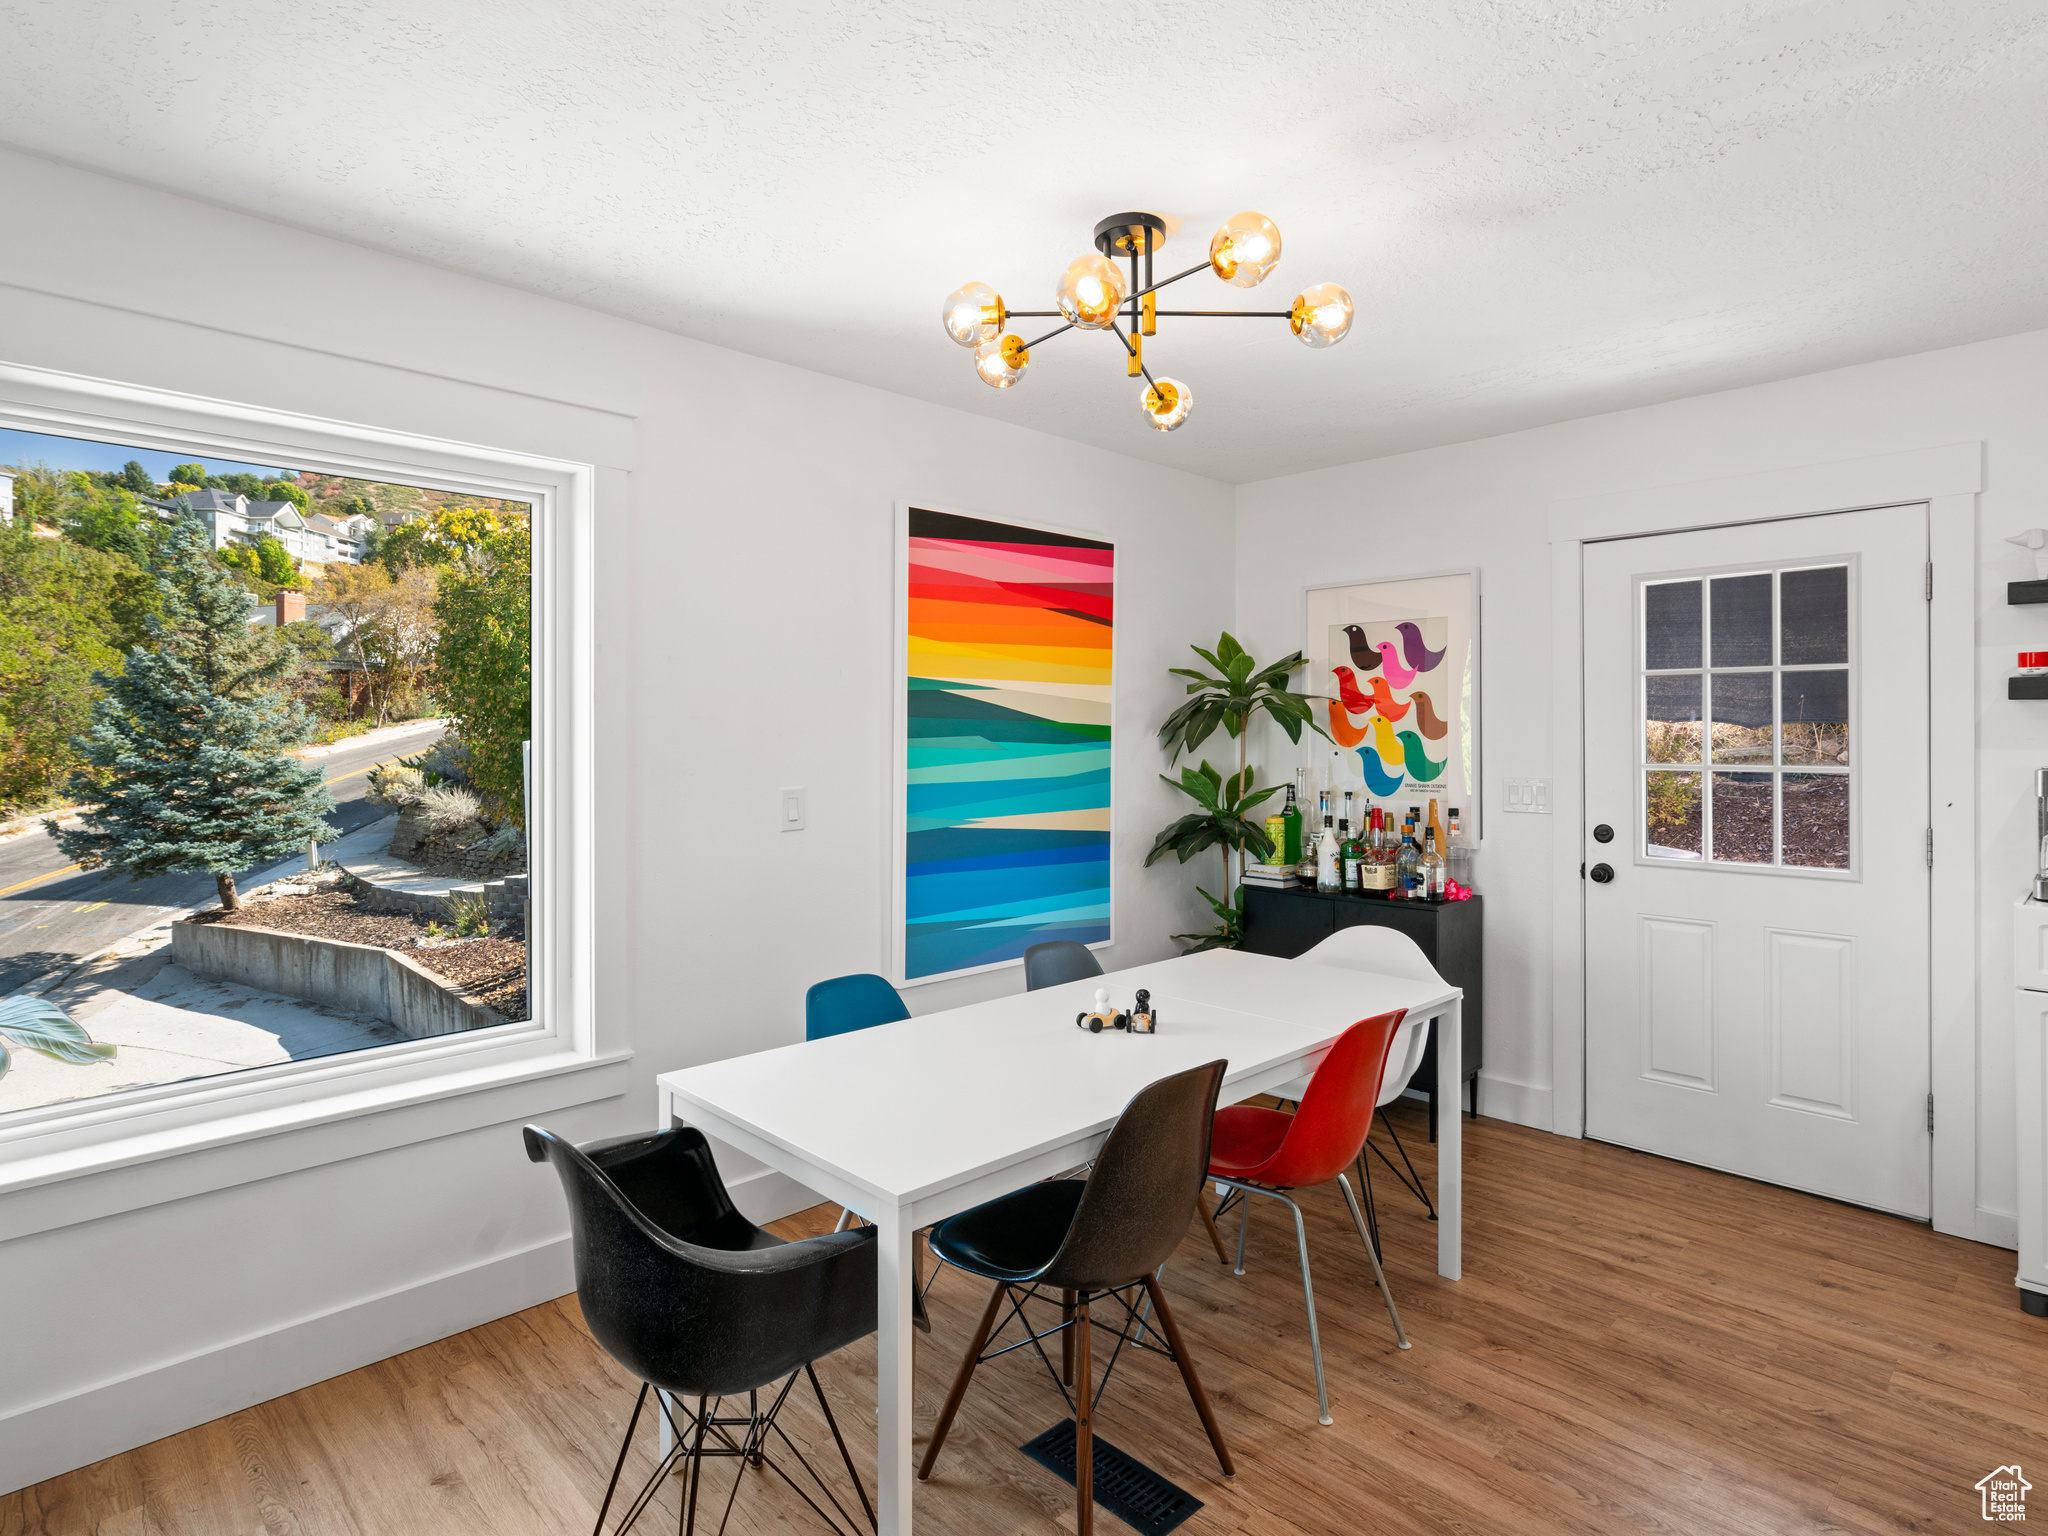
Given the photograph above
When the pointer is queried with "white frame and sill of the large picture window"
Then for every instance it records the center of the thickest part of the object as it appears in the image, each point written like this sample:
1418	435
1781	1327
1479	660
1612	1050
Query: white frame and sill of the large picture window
118	1132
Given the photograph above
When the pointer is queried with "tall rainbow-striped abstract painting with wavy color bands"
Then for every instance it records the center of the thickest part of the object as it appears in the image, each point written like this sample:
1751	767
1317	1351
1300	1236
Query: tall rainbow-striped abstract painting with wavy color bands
1005	755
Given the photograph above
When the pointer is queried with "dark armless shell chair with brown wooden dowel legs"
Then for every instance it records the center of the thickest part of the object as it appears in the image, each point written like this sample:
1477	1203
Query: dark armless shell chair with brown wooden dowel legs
1086	1240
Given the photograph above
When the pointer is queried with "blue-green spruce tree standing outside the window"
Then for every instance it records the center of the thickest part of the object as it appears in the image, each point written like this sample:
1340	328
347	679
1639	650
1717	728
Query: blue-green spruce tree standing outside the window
189	742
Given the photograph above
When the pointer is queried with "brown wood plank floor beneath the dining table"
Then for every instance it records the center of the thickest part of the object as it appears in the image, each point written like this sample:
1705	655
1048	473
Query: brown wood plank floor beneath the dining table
1635	1347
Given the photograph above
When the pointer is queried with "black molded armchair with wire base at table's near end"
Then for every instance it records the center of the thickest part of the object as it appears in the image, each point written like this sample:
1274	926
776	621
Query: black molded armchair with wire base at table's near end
701	1304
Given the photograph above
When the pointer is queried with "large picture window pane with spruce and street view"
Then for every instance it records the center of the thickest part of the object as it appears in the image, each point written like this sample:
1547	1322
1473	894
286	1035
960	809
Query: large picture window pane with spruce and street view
269	755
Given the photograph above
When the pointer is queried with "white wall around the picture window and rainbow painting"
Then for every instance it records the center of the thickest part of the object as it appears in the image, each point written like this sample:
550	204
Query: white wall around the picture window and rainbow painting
744	644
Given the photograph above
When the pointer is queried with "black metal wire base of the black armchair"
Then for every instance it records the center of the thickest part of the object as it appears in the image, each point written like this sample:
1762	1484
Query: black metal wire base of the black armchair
689	1453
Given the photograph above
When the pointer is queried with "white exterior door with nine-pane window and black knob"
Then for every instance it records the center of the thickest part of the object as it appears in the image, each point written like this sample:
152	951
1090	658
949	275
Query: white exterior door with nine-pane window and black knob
1756	919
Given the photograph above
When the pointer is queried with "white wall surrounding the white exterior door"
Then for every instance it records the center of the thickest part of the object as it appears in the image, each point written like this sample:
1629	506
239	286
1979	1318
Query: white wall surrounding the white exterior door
1482	505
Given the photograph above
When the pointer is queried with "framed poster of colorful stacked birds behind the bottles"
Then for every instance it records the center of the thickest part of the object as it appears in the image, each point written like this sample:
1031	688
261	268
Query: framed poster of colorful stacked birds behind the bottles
1396	667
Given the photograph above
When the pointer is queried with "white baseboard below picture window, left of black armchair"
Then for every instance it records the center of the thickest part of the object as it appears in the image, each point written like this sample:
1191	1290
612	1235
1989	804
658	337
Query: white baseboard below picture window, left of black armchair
62	1435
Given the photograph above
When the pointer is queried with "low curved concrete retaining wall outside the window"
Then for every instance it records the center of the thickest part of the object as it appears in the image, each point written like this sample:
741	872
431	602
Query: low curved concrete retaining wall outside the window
353	978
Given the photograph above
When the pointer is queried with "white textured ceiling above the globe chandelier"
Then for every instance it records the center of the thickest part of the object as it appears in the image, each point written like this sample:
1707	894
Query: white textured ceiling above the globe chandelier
1541	210
